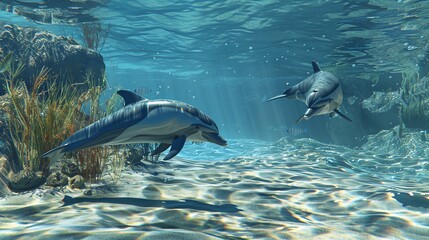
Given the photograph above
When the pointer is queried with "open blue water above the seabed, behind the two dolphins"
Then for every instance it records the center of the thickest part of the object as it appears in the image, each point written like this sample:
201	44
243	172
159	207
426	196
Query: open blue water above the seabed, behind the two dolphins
239	53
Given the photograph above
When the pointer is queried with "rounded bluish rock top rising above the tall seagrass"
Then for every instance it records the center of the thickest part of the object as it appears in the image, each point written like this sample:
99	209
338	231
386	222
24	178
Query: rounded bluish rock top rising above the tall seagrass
36	48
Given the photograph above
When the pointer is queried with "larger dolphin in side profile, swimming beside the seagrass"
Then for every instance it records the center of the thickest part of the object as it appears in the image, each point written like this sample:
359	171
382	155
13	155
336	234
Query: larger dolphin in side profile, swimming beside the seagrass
168	122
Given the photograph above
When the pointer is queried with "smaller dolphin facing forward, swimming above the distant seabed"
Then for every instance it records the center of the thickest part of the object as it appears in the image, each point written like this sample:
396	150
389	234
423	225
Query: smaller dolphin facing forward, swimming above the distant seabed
321	92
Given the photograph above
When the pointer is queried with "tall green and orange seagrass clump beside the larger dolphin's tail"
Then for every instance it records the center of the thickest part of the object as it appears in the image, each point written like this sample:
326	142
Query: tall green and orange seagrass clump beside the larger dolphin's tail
40	119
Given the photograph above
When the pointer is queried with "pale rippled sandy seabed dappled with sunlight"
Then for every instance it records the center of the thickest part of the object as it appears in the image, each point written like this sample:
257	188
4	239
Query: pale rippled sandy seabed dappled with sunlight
286	190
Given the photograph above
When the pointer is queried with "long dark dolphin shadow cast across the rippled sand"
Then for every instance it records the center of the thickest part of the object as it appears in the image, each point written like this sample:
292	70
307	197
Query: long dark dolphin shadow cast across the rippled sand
169	204
